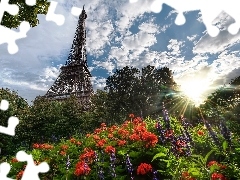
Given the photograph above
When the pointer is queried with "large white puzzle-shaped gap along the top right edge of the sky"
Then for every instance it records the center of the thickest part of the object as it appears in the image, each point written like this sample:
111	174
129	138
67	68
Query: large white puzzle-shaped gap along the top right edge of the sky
210	11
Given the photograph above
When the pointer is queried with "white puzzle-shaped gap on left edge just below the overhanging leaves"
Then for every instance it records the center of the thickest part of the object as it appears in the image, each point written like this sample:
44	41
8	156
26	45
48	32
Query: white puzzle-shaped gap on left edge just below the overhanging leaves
9	36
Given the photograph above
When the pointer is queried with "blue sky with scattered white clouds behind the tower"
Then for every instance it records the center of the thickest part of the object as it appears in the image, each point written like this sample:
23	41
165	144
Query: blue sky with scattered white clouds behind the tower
122	34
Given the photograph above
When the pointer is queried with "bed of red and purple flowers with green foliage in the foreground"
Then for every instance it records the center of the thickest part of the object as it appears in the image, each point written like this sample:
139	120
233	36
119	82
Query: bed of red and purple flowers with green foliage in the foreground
165	148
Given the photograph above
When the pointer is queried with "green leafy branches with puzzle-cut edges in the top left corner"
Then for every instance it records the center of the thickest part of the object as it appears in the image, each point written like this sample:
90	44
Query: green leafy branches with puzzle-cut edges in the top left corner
26	13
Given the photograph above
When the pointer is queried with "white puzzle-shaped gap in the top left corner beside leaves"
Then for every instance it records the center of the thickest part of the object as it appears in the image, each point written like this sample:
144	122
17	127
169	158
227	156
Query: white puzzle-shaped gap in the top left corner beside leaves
10	8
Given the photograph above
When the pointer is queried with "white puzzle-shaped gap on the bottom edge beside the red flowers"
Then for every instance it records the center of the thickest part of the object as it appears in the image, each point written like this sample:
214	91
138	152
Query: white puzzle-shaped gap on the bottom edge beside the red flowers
31	171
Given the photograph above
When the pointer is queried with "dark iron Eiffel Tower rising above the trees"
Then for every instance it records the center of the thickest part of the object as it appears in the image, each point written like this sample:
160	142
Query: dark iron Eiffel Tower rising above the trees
74	78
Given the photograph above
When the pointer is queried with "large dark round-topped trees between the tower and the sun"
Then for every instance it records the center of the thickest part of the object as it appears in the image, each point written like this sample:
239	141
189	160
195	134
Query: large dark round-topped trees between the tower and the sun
141	93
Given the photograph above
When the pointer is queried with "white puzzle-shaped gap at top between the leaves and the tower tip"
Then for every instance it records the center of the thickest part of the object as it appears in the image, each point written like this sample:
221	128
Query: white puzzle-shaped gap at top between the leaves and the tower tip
51	16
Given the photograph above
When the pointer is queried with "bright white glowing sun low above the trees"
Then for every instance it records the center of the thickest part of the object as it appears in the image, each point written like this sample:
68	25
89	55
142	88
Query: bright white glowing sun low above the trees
194	89
